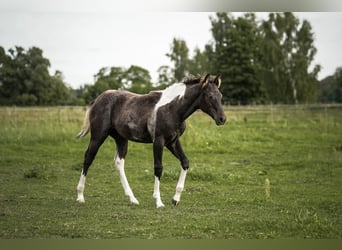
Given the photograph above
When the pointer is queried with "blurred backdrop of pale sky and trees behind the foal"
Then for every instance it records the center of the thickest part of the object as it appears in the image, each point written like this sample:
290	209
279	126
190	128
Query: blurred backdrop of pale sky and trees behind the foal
67	54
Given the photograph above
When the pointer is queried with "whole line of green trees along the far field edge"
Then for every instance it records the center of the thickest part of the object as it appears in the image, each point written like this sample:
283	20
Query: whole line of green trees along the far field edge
260	61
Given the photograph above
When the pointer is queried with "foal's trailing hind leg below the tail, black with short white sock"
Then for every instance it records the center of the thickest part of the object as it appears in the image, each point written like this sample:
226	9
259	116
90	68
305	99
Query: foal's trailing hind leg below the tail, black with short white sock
94	145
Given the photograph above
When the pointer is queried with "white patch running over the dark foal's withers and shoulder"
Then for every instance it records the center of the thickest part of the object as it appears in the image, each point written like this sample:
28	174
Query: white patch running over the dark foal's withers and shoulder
169	94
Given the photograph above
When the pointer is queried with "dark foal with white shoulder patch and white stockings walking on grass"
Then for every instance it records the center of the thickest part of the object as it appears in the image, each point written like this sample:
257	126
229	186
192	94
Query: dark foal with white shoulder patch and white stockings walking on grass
157	117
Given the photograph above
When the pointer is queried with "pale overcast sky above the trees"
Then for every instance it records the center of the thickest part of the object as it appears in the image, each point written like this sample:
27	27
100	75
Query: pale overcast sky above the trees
79	38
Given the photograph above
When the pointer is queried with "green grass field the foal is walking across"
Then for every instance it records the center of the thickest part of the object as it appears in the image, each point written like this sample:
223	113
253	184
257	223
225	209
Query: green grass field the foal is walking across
298	149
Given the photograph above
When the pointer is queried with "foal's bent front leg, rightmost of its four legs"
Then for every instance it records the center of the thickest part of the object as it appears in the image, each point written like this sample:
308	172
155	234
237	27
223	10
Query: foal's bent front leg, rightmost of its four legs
177	150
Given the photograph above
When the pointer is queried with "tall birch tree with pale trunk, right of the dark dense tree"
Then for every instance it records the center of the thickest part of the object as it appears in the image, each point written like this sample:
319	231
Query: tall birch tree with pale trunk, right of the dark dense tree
288	51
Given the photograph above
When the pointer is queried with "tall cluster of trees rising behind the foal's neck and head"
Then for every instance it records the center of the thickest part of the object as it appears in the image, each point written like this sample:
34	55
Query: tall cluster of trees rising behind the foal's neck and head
260	61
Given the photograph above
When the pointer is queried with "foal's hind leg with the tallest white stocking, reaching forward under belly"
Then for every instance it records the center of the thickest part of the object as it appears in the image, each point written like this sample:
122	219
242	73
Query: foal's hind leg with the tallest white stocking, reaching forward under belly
119	161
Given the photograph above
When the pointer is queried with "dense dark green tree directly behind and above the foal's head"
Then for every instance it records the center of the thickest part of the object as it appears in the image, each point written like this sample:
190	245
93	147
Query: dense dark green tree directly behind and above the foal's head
235	55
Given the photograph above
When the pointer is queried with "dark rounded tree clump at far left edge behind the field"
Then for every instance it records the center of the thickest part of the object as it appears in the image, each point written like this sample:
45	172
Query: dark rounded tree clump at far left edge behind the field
25	79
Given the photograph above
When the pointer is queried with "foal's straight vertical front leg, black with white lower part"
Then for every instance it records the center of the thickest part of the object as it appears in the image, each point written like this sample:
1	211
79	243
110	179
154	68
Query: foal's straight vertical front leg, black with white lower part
158	146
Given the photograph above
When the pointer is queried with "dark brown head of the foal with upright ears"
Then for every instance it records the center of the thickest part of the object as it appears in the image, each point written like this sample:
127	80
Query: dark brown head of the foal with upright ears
211	99
